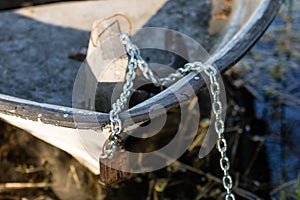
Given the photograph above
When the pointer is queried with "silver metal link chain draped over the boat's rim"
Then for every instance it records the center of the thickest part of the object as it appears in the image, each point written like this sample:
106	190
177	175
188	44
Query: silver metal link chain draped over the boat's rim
114	141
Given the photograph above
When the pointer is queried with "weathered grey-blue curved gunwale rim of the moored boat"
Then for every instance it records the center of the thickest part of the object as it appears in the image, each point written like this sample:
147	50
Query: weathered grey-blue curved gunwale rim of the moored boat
226	57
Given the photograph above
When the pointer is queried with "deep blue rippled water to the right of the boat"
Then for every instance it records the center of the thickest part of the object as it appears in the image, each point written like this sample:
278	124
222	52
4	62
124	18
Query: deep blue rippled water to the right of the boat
271	72
